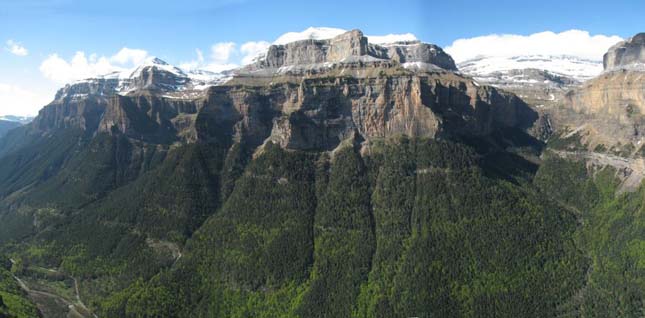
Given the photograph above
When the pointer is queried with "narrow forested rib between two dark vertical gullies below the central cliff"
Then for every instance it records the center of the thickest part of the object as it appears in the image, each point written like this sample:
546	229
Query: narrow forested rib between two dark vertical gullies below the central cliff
344	239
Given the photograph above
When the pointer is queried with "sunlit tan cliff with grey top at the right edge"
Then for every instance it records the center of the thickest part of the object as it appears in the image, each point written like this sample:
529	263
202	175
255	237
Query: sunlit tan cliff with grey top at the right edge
608	111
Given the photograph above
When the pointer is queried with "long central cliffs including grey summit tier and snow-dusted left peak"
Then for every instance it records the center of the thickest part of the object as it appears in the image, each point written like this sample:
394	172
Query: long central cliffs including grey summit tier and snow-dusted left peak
363	91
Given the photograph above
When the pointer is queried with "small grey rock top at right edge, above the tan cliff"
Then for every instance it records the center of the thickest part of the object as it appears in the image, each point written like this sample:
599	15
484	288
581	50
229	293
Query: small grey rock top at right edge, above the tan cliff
629	52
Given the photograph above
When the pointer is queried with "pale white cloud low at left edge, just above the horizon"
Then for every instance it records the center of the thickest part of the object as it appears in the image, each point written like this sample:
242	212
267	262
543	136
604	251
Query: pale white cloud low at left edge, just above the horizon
15	100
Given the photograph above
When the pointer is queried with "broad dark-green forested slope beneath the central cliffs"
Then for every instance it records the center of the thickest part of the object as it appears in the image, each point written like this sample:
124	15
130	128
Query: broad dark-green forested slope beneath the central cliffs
428	234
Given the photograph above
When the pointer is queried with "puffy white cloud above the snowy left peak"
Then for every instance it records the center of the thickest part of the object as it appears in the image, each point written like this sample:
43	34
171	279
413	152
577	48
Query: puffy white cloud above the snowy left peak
61	71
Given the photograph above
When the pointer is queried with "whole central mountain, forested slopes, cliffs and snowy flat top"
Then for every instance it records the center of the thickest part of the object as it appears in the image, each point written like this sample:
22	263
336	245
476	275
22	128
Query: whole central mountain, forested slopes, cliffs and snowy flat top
333	177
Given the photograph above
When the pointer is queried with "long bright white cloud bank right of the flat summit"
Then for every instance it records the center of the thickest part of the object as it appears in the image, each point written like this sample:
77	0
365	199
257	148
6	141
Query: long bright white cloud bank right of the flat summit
573	42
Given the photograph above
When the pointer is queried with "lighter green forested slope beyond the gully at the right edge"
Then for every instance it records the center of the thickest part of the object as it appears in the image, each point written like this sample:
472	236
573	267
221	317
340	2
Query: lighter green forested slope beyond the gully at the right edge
612	235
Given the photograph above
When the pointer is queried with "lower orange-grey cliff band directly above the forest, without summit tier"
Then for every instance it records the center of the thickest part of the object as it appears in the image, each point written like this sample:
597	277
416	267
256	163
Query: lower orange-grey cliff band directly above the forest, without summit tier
319	112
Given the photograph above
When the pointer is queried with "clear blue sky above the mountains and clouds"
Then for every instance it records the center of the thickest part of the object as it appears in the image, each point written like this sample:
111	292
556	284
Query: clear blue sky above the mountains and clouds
174	30
